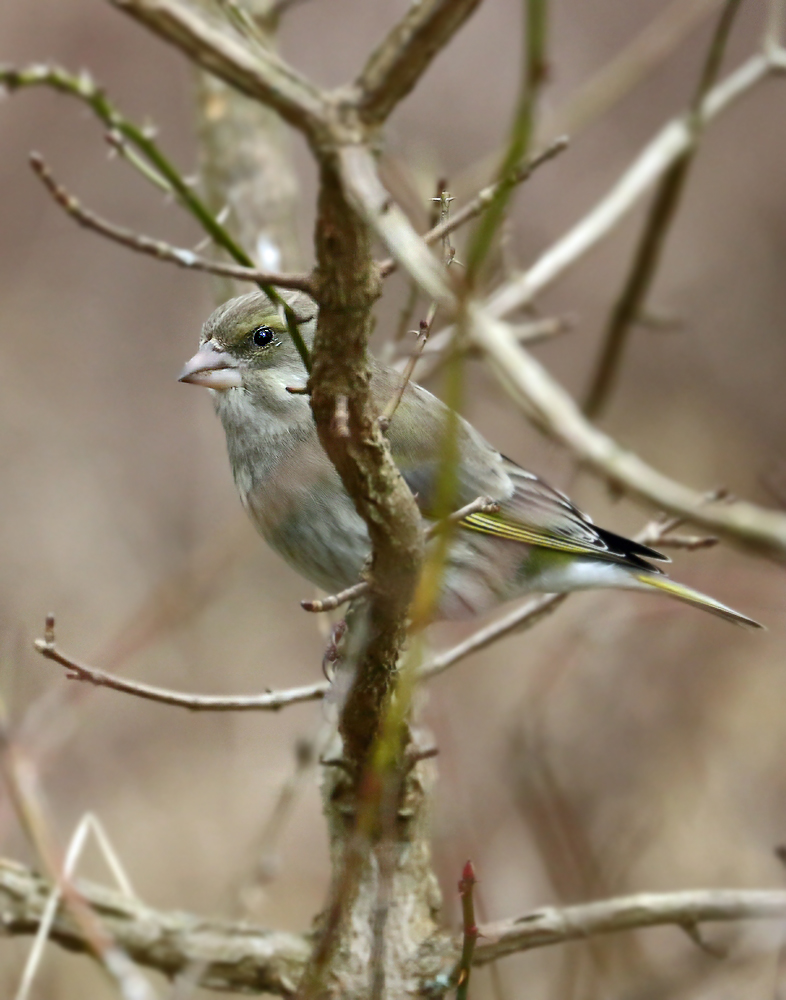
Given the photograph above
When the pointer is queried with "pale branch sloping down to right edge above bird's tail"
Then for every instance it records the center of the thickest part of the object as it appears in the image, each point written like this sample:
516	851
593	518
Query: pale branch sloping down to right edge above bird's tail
559	416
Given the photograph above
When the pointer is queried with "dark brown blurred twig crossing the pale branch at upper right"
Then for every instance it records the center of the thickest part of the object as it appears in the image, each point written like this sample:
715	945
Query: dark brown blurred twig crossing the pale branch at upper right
662	213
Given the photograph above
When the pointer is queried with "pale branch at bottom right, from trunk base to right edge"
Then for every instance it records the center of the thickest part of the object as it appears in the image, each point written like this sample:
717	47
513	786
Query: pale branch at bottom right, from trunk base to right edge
554	925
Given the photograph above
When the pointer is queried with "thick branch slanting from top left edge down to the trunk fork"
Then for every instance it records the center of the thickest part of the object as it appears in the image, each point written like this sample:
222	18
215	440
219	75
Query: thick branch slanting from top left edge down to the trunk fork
258	73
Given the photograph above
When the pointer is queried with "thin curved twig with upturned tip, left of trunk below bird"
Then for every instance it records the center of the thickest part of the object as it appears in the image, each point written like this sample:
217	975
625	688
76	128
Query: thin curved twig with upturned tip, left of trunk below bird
270	701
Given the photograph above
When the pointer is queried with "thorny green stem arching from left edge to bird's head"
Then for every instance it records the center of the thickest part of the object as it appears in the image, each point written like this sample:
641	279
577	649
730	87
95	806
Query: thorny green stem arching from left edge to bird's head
85	89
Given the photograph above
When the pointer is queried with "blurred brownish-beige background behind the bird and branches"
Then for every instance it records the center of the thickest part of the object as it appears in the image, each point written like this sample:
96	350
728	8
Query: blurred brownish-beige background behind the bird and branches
626	744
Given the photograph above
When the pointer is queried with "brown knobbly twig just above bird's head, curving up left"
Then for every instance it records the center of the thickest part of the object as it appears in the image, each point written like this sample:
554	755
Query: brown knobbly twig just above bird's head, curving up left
158	248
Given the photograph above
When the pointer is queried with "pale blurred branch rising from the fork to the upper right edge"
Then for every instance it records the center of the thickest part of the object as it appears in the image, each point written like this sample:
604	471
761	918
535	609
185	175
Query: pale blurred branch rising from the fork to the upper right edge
660	153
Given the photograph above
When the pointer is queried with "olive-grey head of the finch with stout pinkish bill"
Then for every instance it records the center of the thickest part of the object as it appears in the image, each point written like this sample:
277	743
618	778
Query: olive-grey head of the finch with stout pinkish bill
245	346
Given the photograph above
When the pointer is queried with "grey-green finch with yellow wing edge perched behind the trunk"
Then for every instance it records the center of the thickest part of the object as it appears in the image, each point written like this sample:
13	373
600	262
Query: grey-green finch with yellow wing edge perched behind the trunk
534	538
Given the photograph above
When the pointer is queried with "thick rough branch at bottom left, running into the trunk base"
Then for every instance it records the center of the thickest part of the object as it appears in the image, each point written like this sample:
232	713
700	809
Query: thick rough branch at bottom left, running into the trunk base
220	955
